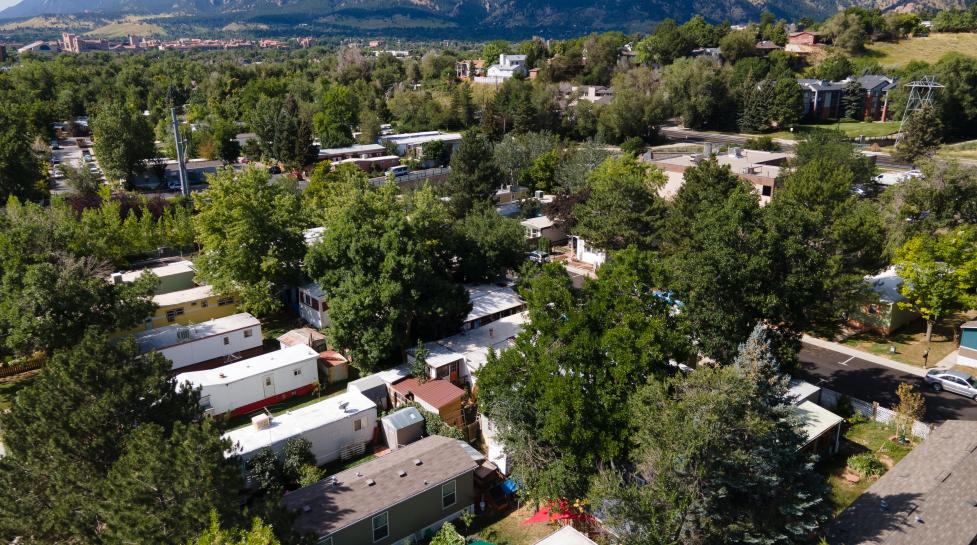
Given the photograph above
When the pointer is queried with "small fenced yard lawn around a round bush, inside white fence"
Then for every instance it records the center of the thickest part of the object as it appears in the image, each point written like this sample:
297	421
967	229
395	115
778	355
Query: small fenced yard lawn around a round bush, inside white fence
866	436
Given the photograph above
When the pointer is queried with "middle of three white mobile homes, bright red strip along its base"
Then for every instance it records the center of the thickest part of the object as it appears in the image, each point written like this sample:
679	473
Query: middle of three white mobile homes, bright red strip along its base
248	385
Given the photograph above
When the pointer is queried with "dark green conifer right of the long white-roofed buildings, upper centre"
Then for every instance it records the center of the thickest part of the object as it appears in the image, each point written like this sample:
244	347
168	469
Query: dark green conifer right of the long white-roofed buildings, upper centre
474	176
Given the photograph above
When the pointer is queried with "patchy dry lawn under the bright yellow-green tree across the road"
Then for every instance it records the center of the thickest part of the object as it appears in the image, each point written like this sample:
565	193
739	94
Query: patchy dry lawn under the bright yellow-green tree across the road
910	341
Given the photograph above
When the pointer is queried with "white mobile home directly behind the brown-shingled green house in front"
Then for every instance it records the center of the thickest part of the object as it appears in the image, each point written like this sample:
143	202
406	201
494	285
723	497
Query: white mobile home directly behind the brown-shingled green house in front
336	427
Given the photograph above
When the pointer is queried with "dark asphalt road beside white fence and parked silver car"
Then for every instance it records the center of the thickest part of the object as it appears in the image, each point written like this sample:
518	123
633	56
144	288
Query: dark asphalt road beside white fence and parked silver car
872	382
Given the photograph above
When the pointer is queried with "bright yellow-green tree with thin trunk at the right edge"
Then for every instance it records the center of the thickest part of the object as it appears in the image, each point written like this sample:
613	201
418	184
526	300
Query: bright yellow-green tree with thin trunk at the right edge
938	274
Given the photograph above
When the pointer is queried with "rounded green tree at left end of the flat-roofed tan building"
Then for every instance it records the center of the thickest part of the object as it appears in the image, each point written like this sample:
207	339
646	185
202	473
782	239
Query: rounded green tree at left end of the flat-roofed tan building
623	208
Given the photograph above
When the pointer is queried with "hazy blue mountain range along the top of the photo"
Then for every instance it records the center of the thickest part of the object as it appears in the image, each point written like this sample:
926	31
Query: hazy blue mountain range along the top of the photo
471	18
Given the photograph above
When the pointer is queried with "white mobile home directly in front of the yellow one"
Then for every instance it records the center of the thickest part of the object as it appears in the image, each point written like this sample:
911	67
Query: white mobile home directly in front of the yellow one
214	342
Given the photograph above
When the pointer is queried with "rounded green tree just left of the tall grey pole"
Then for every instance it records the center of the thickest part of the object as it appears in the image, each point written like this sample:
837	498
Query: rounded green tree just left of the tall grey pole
123	140
